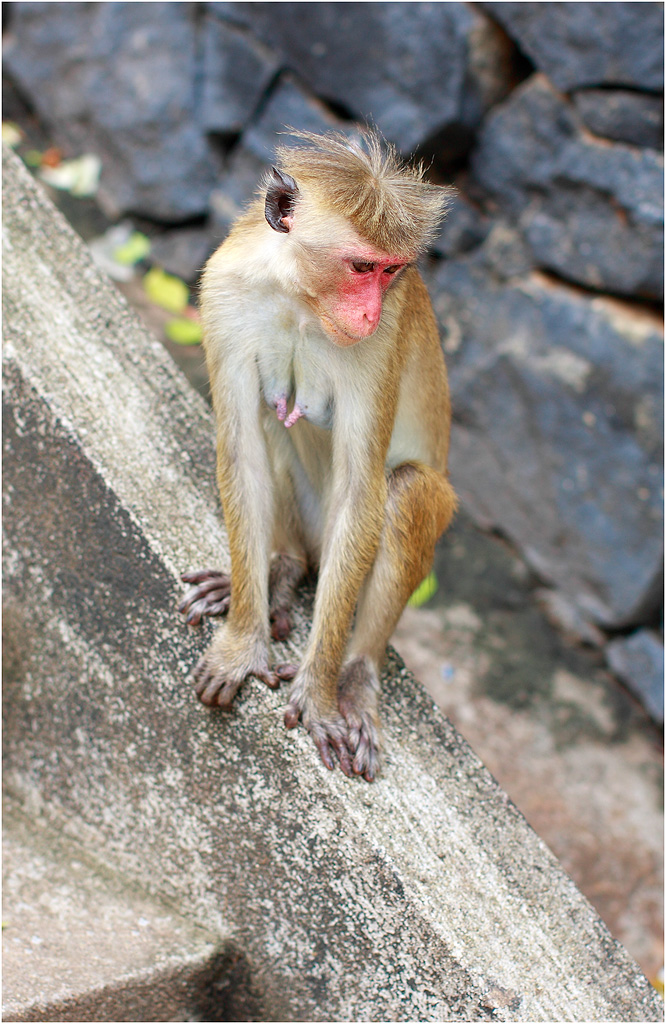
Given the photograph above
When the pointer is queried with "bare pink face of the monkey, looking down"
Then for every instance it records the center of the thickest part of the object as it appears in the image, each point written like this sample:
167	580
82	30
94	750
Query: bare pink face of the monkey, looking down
351	308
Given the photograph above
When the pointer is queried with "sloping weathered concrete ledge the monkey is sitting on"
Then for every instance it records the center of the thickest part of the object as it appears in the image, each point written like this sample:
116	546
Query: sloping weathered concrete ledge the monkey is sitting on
425	897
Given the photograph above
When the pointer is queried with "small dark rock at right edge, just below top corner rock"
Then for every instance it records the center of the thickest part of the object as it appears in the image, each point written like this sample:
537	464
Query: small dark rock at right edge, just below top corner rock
635	118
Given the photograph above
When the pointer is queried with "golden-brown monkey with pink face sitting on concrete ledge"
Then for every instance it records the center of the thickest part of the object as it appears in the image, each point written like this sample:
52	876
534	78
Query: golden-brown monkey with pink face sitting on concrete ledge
332	408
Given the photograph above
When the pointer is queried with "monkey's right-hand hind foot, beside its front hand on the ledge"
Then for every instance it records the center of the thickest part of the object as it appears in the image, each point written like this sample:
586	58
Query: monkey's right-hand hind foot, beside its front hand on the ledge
358	694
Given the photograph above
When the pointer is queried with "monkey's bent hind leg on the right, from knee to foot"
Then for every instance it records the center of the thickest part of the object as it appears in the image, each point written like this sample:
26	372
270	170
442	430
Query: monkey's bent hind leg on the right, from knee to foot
421	506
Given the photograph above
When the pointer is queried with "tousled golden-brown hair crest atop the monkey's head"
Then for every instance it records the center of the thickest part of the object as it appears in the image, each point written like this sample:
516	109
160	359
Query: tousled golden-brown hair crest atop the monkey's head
366	182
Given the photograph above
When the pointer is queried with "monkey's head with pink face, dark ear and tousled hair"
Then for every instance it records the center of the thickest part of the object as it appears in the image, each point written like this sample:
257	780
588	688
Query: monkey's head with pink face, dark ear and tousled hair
354	217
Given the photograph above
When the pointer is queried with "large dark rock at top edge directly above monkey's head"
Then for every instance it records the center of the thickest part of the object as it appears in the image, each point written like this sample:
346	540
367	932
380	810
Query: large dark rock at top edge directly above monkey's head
414	70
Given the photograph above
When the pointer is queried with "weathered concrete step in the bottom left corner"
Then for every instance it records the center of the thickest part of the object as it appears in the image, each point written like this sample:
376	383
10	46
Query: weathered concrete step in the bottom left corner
82	945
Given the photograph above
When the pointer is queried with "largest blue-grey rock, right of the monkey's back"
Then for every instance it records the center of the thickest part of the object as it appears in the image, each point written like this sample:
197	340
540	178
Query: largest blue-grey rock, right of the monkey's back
558	437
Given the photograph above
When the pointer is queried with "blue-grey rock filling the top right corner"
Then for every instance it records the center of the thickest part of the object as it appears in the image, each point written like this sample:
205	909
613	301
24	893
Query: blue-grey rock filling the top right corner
579	45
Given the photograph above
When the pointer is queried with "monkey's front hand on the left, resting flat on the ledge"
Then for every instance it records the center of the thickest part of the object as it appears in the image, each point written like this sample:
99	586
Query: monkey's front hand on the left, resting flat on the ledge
228	663
